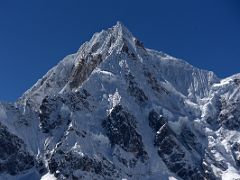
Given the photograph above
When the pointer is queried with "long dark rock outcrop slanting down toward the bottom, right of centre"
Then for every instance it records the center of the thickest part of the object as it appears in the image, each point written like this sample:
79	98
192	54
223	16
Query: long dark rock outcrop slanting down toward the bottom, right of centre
172	152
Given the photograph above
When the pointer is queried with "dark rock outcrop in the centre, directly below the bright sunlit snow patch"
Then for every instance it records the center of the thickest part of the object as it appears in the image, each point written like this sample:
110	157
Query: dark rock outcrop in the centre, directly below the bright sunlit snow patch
121	130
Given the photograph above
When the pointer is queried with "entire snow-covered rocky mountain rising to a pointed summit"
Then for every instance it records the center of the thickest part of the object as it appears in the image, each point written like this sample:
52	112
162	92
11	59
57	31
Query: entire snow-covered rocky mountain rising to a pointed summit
117	110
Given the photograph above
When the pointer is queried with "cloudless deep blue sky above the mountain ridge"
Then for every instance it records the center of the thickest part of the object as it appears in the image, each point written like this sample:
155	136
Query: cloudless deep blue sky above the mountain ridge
35	35
